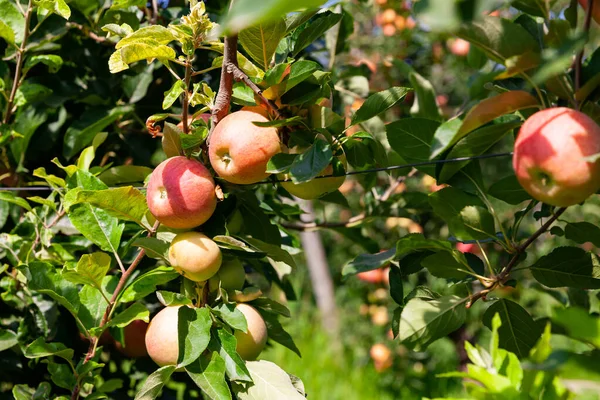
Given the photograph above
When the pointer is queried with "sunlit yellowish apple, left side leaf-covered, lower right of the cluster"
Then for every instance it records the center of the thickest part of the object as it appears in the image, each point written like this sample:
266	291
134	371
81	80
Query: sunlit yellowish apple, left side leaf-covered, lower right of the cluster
251	343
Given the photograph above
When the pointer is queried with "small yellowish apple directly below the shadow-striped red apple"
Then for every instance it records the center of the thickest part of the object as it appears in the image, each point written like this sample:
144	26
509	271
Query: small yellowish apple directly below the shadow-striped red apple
195	256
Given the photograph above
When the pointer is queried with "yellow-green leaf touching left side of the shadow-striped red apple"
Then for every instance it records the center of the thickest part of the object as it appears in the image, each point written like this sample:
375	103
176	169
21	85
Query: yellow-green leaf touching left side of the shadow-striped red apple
125	203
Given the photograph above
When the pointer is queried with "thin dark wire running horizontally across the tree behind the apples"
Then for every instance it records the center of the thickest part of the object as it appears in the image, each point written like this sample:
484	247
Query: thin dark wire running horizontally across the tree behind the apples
366	171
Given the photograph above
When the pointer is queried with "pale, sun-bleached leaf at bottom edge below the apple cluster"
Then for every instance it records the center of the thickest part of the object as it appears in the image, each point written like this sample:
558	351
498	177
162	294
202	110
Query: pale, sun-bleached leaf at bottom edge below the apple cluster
270	382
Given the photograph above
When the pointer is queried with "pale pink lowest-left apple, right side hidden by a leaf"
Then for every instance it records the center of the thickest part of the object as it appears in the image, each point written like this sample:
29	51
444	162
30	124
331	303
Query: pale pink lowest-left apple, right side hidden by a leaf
162	340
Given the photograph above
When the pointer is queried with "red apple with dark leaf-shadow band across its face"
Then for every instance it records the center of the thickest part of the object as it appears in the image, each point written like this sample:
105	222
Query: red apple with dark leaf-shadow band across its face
181	193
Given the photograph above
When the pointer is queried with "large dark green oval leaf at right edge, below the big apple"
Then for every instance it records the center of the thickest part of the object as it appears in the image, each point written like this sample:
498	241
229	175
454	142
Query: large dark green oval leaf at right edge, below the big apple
568	267
